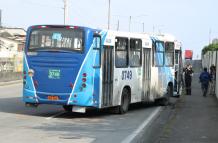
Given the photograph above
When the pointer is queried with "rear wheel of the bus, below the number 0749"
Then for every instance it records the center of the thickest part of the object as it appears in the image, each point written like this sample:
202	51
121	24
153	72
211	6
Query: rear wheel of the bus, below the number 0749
125	101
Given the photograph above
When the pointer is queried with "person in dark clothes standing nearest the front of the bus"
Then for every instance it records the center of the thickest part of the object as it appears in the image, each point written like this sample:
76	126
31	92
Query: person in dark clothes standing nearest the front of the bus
188	78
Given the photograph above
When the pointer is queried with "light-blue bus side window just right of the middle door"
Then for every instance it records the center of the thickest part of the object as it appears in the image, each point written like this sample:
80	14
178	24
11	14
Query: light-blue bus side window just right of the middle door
159	53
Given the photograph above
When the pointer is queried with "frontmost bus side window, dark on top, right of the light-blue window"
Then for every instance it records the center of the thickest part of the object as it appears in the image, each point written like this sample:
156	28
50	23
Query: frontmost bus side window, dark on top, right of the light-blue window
169	53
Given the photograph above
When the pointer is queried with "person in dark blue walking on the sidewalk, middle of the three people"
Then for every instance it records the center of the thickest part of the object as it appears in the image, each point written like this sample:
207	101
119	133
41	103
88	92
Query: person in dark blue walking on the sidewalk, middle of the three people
204	78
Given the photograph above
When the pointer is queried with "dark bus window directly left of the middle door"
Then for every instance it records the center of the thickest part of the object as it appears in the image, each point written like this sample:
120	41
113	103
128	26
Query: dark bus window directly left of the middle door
135	52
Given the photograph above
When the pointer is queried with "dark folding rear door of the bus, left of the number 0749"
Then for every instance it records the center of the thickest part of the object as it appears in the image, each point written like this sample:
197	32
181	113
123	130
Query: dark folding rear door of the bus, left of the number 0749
107	75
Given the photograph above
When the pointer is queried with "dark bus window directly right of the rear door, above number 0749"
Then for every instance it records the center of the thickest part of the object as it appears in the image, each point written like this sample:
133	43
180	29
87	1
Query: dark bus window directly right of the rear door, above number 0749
121	54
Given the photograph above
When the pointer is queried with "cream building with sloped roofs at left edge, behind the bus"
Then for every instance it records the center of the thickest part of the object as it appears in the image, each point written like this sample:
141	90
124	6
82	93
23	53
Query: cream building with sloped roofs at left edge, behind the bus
12	42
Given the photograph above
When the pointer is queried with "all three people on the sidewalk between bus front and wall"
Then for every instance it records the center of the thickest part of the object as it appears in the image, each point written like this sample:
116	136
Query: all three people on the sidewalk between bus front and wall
205	79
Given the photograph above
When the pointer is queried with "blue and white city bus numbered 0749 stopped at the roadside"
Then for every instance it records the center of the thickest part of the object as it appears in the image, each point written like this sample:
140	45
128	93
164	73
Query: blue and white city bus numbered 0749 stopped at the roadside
80	68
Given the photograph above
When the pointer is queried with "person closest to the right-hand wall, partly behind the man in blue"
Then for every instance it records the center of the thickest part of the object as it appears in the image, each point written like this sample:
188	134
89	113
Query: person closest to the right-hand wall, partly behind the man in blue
213	79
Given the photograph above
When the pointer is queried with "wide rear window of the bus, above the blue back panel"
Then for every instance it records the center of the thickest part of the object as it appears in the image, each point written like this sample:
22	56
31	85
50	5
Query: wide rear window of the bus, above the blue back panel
56	39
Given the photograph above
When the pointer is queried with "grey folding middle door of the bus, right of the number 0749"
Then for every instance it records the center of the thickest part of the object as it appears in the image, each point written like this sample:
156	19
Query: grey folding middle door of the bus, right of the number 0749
146	74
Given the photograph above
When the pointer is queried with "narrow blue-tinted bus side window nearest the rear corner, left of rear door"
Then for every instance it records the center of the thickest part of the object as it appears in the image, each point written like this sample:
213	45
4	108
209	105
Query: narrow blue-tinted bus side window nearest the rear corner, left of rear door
97	51
